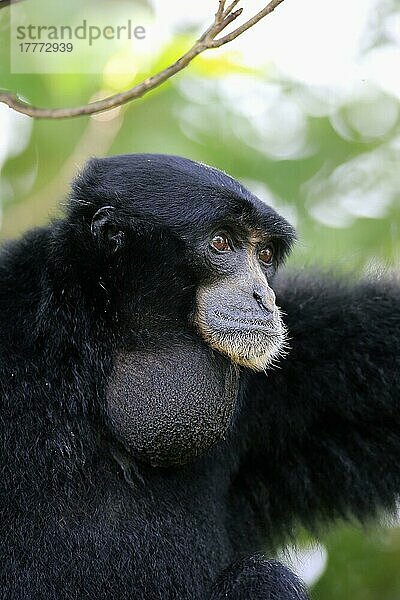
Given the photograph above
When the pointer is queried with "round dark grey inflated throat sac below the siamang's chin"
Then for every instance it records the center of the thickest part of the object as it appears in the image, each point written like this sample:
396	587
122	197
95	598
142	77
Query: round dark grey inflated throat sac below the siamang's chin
170	406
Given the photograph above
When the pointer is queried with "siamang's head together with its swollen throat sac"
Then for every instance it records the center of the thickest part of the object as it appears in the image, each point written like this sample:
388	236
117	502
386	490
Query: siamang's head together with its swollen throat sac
186	255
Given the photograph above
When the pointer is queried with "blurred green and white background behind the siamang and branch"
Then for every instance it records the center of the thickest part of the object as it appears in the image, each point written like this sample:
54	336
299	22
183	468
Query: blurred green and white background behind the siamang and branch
304	109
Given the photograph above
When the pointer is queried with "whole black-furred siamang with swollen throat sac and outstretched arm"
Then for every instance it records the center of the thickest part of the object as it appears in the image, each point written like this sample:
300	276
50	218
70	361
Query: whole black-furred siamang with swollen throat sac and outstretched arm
149	447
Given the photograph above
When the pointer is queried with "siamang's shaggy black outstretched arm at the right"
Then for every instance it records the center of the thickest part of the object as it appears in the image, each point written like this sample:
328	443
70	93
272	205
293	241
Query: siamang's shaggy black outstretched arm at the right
322	432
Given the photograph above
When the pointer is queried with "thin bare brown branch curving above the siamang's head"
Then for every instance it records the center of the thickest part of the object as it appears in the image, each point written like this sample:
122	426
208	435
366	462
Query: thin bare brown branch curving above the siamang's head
223	17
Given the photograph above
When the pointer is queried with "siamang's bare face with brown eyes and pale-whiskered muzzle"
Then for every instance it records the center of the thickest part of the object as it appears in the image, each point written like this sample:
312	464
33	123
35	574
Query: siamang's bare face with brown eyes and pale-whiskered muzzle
236	312
